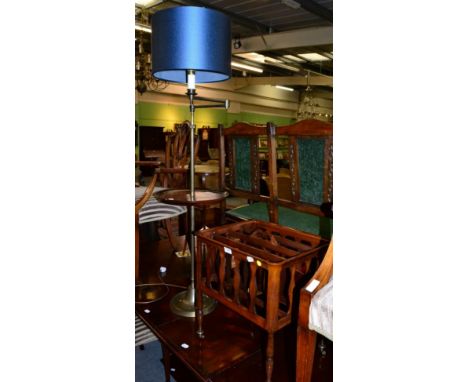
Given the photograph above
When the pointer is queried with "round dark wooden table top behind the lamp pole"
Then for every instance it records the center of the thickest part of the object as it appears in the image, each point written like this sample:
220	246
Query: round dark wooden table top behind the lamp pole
182	197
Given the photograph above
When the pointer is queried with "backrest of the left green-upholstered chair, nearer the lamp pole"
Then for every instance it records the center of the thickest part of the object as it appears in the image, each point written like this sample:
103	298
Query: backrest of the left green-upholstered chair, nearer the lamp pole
240	151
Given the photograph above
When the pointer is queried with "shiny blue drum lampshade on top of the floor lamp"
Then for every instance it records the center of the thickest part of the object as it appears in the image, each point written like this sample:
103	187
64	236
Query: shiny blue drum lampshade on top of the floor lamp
191	38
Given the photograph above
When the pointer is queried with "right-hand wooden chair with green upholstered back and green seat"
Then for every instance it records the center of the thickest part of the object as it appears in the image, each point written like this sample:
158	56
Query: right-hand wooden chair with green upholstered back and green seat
310	174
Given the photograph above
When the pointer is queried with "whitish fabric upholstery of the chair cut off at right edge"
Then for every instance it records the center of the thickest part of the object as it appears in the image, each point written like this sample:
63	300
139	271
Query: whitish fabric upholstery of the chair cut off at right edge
321	311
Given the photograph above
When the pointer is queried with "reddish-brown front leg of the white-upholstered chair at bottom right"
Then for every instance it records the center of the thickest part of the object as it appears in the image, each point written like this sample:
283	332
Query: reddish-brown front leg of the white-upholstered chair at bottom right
306	340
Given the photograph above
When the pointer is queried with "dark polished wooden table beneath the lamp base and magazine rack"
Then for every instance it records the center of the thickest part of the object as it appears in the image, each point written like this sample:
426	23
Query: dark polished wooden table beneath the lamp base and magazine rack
207	357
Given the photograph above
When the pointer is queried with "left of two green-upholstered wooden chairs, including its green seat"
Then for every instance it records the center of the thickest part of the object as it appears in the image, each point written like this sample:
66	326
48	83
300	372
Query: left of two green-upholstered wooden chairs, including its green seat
239	147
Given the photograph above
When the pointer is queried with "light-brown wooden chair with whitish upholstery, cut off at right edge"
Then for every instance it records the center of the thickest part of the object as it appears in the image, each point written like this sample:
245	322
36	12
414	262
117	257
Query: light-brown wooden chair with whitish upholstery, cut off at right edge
315	299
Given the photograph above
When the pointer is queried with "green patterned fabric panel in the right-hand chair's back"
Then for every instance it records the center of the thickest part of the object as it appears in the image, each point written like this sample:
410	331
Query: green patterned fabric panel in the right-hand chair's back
310	167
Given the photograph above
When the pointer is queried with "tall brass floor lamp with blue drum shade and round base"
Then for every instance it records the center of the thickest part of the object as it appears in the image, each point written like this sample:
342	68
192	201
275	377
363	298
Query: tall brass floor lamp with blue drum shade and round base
191	45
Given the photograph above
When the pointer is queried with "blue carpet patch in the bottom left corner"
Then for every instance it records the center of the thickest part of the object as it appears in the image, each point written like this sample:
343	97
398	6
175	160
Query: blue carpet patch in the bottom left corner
148	365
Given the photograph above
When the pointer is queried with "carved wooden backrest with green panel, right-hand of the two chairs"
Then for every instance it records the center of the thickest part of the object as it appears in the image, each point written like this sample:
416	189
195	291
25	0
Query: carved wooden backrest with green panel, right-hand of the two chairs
309	155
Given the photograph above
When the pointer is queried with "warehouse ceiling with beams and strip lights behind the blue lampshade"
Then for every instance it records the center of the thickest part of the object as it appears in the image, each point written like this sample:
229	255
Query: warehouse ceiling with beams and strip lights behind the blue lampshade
270	35
